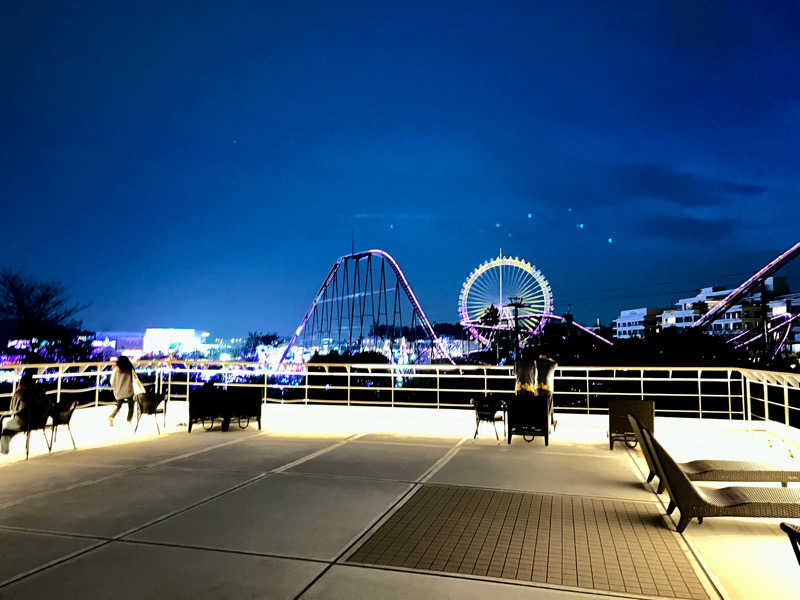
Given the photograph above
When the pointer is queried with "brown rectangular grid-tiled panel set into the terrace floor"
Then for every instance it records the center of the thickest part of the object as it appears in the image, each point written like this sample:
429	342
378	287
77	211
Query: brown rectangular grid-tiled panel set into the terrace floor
610	545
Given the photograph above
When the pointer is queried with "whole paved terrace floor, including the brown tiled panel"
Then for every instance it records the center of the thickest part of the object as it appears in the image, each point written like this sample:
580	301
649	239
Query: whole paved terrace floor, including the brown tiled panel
356	502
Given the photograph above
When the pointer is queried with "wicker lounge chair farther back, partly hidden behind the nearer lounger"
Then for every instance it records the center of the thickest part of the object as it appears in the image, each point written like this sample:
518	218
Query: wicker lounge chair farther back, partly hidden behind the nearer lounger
721	470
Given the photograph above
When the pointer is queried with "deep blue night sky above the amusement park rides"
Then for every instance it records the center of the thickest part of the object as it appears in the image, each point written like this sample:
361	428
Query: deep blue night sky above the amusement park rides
184	164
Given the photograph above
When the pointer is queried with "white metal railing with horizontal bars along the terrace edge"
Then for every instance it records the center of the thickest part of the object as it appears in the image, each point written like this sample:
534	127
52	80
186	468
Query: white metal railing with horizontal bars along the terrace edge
727	393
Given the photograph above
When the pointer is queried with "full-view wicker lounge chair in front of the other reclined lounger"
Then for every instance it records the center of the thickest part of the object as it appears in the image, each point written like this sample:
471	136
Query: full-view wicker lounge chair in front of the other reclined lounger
698	502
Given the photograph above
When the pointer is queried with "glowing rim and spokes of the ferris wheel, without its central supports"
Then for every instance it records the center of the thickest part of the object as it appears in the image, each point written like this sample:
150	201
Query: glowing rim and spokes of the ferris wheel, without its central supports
531	286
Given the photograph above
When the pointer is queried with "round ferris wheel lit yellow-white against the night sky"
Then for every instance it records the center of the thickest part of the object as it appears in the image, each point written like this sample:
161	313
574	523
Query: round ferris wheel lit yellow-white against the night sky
492	291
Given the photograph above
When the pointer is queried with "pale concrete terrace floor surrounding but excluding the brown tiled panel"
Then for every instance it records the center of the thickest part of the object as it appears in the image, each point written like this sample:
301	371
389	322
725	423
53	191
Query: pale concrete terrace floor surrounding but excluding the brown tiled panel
275	513
